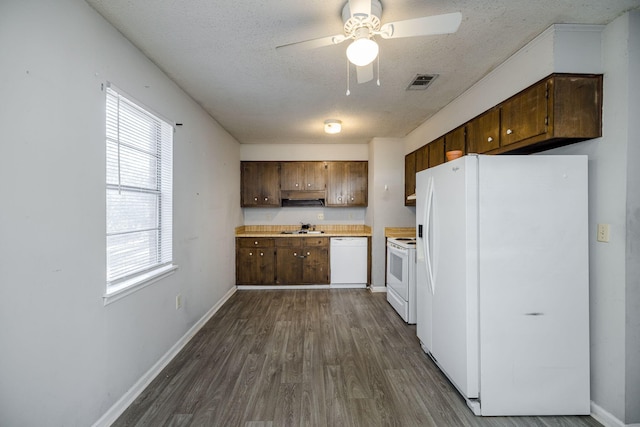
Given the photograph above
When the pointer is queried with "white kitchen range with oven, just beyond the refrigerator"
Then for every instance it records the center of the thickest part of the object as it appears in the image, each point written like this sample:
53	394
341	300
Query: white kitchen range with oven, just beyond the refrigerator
401	276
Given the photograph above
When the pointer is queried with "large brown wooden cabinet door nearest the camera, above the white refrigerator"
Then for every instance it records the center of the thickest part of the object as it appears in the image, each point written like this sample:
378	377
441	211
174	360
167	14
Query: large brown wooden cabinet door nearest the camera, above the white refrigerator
525	115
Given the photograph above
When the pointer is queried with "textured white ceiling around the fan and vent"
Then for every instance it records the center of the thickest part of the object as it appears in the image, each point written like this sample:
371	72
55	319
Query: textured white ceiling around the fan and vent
223	54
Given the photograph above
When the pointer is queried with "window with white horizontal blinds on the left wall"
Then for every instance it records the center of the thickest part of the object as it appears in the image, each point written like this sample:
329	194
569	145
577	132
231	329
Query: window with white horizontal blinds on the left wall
139	192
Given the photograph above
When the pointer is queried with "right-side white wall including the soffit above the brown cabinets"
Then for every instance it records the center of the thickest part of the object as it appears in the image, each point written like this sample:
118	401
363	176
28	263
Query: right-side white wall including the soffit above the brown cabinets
613	183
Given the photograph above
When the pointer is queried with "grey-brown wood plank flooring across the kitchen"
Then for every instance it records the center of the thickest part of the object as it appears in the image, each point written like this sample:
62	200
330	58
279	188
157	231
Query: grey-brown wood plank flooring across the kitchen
309	358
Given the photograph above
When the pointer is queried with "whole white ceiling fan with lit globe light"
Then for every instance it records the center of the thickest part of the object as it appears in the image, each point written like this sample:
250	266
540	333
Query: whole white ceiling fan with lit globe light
362	23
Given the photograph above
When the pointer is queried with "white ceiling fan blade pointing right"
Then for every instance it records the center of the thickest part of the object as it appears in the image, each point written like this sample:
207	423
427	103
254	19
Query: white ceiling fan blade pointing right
425	26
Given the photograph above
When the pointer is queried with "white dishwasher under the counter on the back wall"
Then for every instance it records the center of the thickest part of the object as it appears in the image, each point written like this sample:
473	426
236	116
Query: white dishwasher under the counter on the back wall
348	262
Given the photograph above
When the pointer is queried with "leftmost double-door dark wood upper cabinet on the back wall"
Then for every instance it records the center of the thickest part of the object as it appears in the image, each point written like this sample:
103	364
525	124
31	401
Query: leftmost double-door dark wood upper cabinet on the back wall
260	184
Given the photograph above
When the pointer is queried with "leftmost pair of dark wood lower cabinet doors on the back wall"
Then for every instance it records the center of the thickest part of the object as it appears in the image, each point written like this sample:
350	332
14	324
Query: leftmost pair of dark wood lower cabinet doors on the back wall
255	266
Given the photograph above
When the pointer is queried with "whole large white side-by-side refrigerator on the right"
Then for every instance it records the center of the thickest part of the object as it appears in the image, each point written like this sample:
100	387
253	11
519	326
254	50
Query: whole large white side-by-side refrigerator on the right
502	281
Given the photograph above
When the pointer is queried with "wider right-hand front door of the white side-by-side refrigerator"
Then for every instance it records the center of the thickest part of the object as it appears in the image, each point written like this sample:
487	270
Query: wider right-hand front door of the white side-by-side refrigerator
452	239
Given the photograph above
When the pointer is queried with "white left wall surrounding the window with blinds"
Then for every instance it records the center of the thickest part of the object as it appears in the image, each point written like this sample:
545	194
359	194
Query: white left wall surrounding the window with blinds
66	358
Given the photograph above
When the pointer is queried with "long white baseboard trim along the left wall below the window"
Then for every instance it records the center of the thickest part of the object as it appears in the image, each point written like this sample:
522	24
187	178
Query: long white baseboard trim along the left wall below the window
127	399
